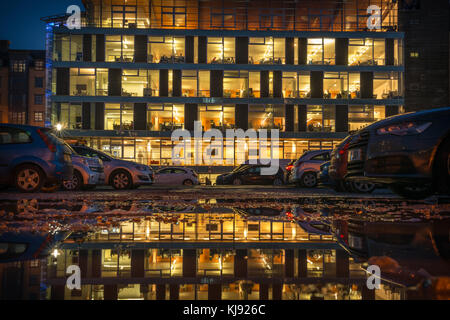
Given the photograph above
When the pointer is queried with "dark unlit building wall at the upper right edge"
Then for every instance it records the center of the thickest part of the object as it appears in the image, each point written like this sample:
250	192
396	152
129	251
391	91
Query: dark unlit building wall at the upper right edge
426	27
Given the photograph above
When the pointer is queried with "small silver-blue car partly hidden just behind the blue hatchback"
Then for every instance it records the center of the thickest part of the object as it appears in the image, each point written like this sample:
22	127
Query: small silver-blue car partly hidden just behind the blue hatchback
87	173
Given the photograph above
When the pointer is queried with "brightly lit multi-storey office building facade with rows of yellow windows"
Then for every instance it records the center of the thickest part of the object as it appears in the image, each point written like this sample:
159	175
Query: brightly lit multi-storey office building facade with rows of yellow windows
137	70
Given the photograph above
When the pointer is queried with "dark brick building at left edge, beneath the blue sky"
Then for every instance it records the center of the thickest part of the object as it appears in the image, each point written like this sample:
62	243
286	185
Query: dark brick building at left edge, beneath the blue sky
22	85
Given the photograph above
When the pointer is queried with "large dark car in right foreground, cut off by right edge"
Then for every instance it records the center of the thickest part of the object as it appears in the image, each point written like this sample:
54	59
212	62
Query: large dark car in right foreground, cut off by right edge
409	152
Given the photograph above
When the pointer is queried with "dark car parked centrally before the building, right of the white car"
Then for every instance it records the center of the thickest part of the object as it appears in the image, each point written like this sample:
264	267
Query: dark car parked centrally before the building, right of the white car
251	174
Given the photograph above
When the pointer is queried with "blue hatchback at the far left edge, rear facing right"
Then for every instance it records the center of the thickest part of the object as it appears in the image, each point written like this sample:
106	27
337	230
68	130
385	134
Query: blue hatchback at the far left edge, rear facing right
32	158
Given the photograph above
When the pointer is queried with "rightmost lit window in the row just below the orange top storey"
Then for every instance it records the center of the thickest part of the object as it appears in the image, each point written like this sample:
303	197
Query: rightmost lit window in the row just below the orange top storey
366	52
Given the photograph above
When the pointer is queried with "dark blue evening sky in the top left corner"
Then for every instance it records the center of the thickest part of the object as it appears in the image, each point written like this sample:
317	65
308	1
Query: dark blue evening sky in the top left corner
20	20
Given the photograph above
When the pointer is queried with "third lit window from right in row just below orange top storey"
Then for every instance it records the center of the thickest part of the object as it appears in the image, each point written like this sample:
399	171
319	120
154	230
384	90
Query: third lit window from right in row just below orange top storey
266	50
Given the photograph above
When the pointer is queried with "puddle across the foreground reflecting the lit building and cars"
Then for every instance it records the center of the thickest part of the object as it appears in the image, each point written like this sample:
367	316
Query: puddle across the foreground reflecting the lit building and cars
224	249
